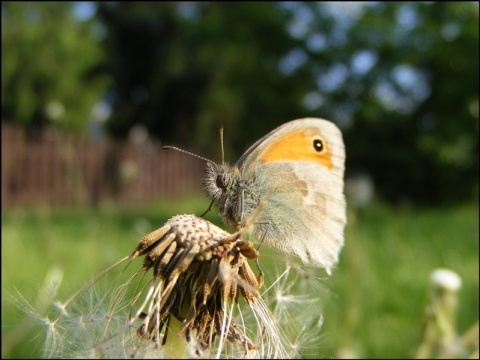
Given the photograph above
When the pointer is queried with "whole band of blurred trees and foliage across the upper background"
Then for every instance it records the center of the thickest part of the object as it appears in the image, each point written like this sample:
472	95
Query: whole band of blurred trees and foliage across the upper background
400	79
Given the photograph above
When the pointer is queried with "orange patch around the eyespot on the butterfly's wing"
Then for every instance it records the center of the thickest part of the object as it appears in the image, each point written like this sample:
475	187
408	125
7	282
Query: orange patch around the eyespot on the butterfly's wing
298	146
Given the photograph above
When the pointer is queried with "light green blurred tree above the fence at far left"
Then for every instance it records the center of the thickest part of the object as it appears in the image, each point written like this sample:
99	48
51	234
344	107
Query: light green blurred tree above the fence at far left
49	65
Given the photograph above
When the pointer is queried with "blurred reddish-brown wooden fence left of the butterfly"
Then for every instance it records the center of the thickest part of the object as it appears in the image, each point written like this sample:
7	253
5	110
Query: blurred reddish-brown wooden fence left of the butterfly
58	169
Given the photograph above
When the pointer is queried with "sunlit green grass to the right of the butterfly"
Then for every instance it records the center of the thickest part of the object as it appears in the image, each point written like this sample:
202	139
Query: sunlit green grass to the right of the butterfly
380	288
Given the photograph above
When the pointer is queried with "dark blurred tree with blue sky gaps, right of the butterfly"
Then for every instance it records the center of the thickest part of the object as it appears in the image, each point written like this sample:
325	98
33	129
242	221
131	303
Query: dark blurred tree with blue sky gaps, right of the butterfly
409	98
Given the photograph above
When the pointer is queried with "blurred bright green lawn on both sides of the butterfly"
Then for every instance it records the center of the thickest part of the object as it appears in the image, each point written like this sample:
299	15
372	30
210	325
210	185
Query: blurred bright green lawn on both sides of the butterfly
375	299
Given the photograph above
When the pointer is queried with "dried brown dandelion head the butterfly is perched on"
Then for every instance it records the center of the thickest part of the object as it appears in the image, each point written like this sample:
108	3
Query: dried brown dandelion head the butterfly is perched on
198	270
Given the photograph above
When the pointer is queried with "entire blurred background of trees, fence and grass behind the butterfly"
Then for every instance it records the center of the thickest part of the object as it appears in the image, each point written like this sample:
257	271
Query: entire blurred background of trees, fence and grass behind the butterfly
92	90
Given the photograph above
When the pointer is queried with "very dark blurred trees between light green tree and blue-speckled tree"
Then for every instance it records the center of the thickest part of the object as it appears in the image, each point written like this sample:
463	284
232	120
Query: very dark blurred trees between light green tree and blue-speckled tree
184	69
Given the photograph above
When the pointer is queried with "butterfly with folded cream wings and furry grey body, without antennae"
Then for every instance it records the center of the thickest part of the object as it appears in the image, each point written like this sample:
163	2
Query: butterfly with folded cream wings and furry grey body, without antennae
293	176
